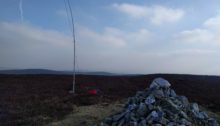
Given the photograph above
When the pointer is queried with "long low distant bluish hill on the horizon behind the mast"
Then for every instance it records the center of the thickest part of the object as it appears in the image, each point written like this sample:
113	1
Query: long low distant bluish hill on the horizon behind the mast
54	72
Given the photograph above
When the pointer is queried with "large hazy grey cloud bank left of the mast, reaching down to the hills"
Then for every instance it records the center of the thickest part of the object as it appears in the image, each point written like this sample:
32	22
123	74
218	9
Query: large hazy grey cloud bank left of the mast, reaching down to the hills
27	46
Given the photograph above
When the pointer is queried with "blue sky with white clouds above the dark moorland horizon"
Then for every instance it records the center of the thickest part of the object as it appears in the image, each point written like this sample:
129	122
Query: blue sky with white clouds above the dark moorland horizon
119	36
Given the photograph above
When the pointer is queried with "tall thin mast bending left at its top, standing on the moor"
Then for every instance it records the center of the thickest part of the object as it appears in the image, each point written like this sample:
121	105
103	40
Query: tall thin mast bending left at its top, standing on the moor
74	46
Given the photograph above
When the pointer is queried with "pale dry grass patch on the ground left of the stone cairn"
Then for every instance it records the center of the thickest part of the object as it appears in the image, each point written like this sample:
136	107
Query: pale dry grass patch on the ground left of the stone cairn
89	115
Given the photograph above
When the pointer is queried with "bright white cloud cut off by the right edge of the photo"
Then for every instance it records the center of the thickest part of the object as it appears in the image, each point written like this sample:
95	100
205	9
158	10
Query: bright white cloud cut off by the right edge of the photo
208	33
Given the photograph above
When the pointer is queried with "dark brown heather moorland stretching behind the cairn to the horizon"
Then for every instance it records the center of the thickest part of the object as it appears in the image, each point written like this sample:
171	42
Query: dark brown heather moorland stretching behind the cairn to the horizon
40	99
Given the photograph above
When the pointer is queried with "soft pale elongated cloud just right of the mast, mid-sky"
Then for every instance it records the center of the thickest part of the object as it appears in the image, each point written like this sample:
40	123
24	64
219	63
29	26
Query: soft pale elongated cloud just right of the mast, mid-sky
114	36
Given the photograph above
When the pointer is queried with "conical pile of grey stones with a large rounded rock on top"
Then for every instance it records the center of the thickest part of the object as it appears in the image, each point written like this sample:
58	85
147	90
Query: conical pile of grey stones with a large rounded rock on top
159	106
